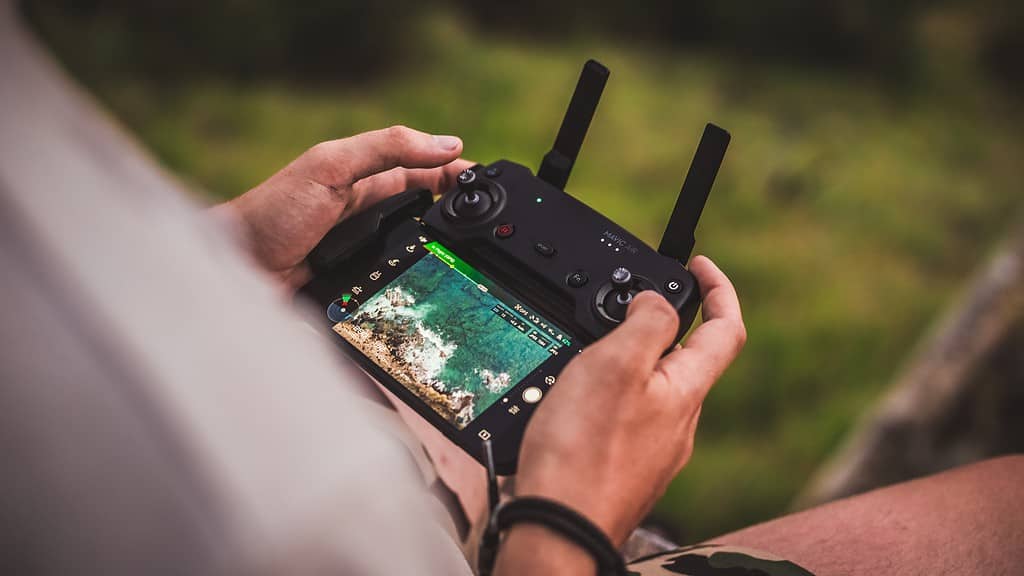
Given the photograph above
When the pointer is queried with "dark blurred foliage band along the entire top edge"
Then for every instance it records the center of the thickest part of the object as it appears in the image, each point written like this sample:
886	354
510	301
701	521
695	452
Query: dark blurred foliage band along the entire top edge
337	42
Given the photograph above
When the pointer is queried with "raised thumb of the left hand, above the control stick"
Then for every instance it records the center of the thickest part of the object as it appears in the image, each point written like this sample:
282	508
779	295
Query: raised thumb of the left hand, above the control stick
349	160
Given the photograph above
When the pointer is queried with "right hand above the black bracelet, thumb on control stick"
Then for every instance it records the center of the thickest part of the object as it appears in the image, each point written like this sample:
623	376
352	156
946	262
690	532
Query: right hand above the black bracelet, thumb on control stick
620	424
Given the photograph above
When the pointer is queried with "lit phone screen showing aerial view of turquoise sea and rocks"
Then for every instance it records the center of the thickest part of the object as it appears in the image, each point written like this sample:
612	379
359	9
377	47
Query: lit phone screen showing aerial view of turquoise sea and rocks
449	335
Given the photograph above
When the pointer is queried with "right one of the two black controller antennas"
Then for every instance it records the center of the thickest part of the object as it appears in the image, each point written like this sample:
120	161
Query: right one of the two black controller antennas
678	240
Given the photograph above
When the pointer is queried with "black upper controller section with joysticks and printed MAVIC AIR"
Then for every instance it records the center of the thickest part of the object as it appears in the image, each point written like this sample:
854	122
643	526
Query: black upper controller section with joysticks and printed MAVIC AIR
559	253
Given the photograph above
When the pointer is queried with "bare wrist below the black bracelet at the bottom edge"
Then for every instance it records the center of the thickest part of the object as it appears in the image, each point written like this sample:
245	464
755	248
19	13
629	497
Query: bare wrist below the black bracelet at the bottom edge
530	549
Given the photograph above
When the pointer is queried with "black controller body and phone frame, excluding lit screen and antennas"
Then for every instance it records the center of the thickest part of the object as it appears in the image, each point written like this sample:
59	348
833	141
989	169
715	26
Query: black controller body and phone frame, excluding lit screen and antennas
550	251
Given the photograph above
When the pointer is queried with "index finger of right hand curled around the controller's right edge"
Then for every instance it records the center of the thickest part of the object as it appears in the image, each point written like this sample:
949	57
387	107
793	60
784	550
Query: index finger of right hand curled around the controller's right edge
714	345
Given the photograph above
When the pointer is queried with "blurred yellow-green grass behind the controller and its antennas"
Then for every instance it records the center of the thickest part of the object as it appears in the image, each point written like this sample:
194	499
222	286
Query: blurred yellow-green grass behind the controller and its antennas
848	215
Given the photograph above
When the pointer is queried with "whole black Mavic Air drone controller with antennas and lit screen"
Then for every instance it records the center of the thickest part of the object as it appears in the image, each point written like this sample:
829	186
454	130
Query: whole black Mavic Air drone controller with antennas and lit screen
470	308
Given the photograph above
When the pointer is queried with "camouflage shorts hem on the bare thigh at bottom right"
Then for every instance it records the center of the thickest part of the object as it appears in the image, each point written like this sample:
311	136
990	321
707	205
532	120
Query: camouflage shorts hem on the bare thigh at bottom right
714	560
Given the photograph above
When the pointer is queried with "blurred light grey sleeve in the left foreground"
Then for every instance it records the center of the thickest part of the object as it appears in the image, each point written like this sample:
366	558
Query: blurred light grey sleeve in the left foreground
165	409
